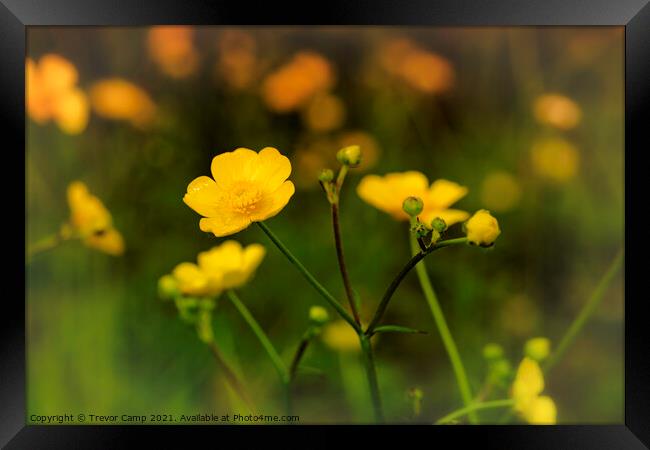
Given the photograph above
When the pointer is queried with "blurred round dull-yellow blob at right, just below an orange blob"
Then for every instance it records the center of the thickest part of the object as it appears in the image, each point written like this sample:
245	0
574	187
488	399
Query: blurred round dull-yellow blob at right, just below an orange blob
555	159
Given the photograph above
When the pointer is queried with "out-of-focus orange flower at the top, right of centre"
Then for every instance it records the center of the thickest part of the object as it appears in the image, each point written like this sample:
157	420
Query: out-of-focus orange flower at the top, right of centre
423	70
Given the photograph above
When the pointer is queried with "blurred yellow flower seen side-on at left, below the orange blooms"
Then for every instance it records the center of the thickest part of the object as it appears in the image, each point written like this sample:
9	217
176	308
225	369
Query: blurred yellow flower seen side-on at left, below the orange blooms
91	221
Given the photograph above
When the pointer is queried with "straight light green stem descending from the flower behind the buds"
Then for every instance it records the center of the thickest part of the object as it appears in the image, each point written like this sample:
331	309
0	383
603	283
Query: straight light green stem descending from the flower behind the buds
445	334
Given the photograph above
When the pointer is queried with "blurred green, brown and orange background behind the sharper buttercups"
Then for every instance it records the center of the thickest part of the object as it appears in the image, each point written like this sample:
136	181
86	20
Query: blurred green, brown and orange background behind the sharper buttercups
530	119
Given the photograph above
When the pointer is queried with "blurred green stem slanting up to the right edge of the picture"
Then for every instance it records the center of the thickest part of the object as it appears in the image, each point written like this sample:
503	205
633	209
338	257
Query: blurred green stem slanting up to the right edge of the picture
586	312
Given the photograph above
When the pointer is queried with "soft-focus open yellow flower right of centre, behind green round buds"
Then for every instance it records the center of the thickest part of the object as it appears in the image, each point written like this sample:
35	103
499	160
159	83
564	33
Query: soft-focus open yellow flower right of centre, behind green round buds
387	194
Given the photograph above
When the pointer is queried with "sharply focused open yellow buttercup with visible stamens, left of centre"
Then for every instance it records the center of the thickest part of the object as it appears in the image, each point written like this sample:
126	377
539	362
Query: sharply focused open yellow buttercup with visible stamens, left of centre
247	187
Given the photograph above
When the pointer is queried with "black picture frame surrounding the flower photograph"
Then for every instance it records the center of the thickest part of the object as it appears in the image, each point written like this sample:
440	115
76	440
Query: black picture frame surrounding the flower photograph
633	15
